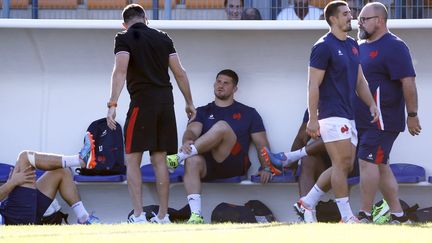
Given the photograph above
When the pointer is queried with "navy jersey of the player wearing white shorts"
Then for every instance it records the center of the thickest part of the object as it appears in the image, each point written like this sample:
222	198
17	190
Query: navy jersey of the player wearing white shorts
340	60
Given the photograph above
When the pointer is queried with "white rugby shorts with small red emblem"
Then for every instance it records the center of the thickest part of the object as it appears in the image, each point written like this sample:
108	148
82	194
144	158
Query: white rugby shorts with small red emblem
338	128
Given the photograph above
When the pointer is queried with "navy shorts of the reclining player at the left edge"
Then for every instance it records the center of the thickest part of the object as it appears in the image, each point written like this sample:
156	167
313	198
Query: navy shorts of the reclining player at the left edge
24	206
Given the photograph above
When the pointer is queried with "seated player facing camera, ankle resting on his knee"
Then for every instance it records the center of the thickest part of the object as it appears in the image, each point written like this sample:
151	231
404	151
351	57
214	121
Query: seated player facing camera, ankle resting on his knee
216	142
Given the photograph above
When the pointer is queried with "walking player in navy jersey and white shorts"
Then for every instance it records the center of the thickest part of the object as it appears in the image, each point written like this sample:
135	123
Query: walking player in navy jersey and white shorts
335	77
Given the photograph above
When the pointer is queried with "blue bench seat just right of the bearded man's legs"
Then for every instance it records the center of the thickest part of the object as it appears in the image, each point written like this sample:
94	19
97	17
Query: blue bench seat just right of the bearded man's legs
408	173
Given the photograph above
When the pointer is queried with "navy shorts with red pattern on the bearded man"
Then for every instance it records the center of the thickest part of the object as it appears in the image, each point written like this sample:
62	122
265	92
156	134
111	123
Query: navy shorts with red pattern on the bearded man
375	145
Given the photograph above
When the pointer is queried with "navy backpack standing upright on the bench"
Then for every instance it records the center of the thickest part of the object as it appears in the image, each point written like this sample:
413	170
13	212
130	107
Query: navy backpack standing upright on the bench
109	150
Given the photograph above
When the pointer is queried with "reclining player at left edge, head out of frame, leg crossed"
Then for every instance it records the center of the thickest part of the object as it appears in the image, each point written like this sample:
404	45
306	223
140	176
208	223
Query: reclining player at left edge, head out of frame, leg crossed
24	200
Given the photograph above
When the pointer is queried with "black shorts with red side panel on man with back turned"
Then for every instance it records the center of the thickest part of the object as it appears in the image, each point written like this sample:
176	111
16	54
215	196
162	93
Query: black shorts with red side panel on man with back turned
150	128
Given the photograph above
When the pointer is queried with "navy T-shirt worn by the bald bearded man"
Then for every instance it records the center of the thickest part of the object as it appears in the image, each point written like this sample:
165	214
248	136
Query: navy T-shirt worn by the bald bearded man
385	62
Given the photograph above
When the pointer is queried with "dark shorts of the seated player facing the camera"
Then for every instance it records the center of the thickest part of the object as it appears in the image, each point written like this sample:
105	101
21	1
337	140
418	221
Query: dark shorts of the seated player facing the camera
236	164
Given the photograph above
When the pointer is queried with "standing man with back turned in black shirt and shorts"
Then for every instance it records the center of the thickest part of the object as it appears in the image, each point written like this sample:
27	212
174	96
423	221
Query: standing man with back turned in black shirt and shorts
142	58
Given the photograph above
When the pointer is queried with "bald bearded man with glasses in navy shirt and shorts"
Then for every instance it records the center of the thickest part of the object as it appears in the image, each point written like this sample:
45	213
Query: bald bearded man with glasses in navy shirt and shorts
387	66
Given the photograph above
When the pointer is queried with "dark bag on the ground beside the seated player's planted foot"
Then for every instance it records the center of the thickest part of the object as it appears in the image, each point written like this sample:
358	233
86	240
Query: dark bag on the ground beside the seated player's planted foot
254	211
